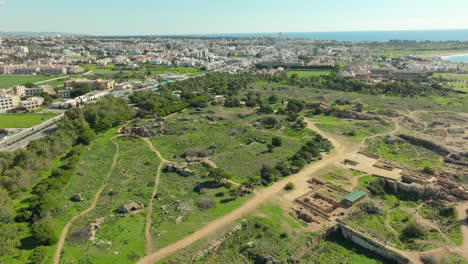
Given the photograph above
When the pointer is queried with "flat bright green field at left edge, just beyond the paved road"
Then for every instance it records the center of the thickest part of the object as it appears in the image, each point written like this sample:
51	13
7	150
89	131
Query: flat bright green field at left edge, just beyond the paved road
23	120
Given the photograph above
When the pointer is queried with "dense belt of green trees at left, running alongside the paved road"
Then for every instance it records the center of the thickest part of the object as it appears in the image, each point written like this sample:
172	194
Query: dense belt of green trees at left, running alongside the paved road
19	172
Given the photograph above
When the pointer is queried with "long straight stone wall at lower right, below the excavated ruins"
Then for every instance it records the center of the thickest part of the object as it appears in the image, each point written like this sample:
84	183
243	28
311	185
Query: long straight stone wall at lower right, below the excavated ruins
368	243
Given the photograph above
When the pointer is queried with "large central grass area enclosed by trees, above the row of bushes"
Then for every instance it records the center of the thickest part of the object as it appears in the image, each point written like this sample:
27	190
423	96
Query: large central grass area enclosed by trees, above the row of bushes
240	149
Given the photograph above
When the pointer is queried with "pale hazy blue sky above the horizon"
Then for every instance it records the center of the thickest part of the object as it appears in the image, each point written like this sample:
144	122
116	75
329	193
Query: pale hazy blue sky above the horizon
152	17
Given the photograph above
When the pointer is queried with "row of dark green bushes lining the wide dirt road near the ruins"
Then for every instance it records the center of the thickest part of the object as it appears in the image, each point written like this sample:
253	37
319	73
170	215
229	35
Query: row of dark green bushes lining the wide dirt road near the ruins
307	153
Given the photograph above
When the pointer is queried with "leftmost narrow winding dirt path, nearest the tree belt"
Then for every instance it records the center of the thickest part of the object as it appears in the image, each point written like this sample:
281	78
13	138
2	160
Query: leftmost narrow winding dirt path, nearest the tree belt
66	228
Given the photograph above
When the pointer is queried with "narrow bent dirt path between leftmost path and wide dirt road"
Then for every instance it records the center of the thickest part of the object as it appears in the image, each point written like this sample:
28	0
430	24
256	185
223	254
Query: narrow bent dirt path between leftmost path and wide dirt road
149	219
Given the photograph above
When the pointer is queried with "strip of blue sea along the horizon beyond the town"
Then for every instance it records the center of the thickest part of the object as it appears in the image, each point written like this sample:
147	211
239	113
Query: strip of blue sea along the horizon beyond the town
381	36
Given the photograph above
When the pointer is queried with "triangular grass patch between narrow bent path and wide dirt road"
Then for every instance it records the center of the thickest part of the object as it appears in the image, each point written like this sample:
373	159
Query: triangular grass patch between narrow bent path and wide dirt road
166	229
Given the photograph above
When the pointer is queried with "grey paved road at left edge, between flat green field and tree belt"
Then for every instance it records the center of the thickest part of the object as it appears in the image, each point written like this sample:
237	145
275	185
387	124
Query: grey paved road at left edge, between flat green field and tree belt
21	139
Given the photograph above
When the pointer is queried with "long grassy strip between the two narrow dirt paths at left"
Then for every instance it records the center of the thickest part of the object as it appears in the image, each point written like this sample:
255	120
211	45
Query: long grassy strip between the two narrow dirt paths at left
132	179
